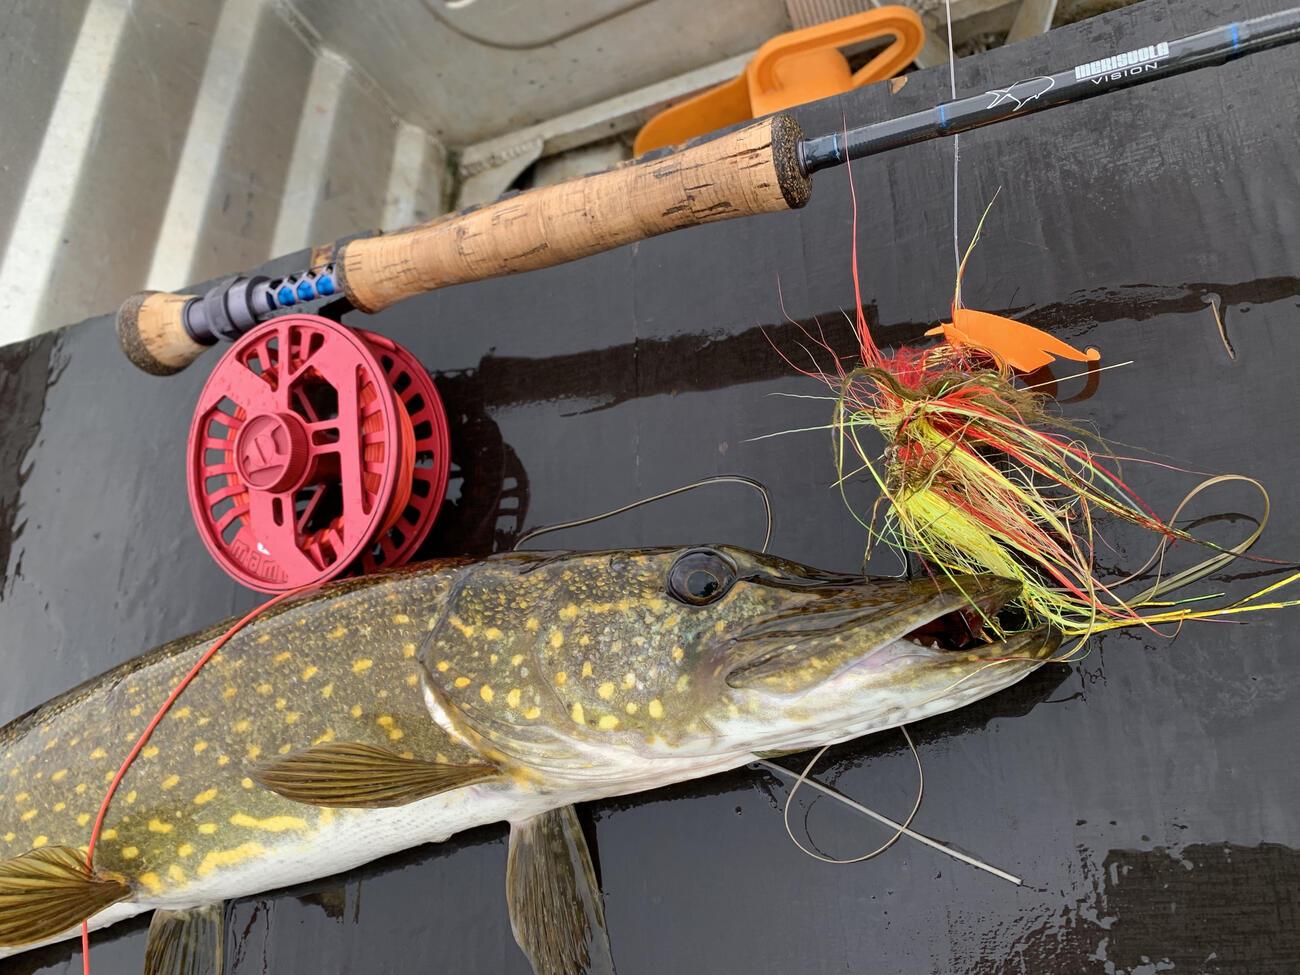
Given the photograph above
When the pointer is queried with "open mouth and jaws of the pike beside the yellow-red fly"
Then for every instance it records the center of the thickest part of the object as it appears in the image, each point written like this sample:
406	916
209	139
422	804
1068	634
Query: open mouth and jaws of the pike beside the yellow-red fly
934	618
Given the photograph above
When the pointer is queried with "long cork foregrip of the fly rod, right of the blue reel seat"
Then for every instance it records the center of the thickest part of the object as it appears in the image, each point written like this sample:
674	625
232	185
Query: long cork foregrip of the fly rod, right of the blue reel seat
751	171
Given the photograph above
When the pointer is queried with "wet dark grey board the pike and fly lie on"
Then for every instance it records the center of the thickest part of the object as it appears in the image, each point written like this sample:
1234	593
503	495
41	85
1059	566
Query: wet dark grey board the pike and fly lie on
1147	795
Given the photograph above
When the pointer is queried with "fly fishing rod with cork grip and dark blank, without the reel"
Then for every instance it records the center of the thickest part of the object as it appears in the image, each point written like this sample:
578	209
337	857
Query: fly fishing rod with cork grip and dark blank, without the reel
761	168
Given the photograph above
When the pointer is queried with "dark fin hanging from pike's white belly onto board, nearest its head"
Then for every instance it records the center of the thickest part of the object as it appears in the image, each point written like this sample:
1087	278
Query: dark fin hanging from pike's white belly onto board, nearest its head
556	907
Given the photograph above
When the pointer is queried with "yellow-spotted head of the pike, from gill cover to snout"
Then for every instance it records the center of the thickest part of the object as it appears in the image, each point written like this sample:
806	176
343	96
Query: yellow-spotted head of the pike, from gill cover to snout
601	664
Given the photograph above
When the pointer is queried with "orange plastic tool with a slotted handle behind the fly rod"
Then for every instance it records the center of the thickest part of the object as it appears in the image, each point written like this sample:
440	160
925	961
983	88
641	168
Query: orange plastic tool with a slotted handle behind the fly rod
801	66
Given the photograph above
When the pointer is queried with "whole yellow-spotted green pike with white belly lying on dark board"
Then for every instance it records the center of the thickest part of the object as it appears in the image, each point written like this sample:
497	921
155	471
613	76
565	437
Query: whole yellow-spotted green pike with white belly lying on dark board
396	710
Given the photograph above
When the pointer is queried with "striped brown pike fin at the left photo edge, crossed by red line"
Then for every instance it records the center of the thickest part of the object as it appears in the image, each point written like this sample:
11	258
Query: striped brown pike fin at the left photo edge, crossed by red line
45	892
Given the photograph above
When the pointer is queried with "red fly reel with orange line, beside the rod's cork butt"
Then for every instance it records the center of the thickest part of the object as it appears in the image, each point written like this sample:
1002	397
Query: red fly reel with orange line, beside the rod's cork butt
315	450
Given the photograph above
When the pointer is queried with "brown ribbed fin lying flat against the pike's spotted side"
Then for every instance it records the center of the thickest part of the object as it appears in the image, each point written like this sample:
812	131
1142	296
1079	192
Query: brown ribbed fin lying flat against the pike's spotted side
350	774
